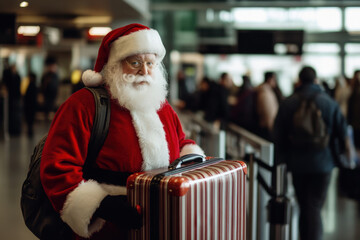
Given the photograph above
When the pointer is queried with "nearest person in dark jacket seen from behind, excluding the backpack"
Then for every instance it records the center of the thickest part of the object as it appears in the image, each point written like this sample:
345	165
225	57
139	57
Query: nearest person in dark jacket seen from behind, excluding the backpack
311	169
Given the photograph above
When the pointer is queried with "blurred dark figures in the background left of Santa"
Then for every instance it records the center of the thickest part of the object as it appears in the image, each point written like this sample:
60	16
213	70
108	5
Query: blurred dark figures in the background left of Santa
26	97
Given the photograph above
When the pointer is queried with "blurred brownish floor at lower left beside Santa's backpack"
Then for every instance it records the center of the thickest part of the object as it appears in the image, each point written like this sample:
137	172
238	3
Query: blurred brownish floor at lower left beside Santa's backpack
15	155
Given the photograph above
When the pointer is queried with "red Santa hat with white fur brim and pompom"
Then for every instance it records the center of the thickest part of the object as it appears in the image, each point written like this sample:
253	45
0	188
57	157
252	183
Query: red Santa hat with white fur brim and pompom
121	43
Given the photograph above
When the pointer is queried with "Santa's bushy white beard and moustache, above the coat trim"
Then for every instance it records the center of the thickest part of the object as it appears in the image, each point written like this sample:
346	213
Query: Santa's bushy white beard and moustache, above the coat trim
133	96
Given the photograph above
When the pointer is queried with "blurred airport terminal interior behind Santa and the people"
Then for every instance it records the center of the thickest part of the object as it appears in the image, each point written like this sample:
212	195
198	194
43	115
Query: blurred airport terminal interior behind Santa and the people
203	39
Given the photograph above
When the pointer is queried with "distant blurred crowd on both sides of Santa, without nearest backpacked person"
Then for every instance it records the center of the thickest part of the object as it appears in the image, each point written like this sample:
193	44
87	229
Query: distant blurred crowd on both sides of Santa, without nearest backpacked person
220	100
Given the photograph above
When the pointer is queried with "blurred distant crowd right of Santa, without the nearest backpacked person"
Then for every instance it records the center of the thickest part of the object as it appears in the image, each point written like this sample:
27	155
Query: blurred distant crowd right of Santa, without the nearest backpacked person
255	107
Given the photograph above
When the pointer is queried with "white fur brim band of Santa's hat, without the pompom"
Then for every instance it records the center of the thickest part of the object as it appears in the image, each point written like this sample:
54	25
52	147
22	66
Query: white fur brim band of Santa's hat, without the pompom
139	42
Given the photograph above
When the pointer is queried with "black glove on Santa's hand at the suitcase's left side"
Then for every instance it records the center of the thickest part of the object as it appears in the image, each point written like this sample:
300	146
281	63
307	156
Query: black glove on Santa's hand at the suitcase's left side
117	209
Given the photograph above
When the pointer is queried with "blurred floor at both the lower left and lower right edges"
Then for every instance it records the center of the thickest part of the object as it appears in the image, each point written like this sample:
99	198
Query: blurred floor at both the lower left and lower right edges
341	215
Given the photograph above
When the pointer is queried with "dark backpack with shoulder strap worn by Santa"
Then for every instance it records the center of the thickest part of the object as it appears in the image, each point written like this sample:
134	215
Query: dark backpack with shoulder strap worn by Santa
39	215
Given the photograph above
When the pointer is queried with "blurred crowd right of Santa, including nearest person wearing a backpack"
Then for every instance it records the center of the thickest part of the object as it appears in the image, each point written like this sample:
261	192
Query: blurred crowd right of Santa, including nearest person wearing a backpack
309	130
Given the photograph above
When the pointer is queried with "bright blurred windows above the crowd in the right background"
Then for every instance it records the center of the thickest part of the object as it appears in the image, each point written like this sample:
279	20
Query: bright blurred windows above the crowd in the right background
331	41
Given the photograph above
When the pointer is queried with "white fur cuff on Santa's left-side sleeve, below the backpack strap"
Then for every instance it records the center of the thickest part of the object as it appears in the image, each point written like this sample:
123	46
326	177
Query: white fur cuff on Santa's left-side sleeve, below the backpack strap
81	204
